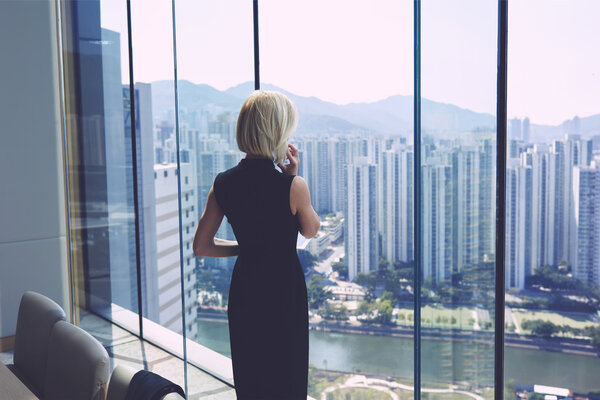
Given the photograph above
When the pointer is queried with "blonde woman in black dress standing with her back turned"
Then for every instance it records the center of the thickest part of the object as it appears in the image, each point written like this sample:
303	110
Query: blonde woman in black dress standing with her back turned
268	310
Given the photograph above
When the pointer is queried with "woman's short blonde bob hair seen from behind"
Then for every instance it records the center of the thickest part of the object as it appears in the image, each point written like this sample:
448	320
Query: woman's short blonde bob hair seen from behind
267	119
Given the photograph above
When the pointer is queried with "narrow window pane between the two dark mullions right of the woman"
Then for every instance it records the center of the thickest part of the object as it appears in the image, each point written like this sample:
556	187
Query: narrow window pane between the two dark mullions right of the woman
458	210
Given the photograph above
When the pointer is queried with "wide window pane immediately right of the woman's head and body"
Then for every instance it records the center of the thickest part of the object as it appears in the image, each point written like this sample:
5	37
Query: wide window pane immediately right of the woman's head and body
348	68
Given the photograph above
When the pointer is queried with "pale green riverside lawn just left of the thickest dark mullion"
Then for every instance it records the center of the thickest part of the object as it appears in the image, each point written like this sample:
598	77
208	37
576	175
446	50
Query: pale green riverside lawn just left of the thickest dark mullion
429	315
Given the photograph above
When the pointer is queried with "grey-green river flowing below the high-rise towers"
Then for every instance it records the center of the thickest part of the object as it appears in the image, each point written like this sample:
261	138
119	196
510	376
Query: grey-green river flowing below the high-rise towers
442	360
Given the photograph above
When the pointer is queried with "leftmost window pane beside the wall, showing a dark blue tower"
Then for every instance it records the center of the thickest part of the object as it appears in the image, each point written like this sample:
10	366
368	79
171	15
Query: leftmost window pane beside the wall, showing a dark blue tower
99	161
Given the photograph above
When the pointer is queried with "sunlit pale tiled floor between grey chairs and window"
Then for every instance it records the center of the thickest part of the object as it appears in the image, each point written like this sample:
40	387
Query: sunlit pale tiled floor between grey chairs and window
126	349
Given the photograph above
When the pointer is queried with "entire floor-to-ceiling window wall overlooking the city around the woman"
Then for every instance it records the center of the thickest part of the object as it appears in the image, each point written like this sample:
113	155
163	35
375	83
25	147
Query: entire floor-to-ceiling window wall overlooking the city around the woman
351	76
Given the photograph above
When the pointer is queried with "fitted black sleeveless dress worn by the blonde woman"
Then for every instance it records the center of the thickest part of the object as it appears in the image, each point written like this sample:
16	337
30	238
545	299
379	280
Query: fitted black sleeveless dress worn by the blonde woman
268	309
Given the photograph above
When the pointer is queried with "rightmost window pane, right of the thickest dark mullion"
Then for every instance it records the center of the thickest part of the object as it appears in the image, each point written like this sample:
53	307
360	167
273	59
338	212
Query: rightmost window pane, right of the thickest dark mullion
552	200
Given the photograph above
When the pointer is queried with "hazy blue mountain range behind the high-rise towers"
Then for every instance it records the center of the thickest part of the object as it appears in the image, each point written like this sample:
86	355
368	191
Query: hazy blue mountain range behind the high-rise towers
392	115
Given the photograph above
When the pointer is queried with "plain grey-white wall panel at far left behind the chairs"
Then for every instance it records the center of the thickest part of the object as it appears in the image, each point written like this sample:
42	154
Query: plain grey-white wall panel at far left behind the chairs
33	253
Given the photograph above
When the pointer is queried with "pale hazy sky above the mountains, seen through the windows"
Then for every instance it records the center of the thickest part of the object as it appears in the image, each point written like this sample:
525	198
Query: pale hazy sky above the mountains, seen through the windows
355	51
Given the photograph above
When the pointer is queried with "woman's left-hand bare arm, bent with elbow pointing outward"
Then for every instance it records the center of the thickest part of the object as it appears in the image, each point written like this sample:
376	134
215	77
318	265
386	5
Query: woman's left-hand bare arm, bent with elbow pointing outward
205	242
